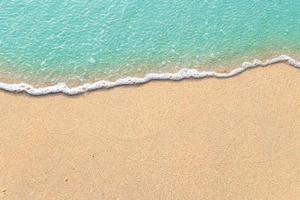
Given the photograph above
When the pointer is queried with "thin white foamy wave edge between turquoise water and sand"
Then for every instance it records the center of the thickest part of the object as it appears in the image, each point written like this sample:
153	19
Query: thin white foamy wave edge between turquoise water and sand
180	75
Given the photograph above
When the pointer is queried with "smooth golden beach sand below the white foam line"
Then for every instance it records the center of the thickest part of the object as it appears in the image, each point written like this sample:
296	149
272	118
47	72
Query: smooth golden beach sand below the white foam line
236	138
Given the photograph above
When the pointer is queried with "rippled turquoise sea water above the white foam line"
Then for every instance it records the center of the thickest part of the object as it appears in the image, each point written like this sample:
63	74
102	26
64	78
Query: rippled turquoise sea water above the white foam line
64	40
